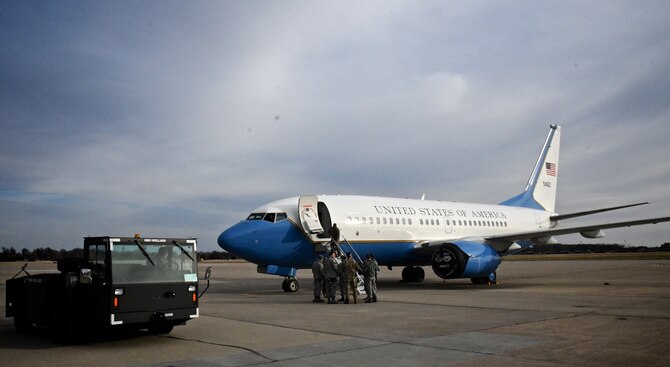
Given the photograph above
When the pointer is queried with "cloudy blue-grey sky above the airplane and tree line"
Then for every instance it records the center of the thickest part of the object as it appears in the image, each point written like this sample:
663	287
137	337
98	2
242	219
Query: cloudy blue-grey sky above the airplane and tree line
176	118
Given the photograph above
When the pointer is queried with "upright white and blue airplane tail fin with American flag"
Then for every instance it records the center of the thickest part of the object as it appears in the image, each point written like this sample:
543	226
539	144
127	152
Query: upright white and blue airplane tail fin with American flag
540	192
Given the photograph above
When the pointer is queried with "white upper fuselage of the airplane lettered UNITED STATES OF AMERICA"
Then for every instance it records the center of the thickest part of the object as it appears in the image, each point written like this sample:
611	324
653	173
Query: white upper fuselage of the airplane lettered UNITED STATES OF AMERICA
383	219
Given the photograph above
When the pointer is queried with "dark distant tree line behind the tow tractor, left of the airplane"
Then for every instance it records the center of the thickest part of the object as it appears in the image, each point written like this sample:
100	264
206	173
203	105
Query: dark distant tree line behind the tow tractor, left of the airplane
49	254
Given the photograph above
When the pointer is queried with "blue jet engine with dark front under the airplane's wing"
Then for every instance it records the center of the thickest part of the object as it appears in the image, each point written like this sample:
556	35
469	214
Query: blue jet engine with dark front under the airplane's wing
464	259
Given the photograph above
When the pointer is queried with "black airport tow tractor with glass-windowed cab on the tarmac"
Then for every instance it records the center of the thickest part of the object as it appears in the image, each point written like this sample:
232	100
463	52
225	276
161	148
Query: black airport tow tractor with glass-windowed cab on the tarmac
121	282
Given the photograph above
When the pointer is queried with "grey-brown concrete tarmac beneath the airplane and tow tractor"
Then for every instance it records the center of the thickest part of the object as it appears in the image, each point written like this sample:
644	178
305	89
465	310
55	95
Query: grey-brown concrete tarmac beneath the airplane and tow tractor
543	313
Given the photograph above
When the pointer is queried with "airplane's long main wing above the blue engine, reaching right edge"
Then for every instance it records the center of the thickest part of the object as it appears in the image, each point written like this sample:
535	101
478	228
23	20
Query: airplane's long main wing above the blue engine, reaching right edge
501	243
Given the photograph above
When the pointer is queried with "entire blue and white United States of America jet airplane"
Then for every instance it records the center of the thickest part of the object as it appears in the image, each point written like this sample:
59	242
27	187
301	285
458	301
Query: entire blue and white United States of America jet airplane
458	240
